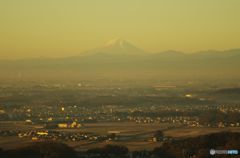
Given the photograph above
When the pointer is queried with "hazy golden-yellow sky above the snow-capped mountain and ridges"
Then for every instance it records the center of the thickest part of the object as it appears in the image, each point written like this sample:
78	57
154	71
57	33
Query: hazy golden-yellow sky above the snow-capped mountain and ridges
54	28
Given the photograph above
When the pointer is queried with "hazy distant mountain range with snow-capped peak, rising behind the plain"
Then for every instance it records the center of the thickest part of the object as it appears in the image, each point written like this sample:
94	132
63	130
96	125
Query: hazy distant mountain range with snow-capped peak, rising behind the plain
120	57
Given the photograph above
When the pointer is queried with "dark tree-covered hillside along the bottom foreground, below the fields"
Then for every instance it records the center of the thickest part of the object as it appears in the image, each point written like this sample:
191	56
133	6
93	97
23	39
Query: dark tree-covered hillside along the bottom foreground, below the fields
197	147
